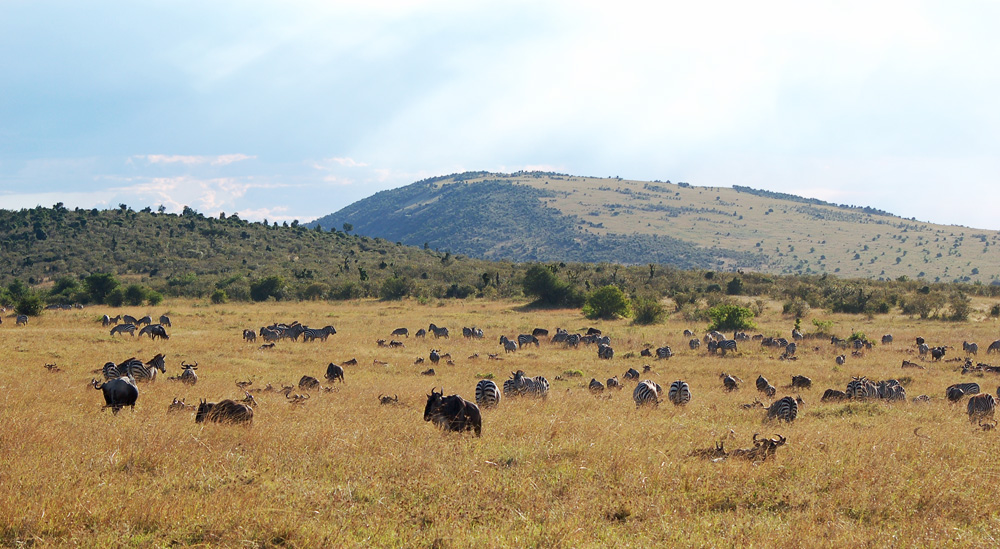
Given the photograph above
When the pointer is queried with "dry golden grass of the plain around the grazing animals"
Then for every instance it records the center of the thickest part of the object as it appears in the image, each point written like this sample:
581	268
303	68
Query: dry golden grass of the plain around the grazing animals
572	470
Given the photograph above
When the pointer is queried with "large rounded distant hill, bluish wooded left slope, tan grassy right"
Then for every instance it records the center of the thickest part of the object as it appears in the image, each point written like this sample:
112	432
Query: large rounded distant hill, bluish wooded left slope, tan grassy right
534	216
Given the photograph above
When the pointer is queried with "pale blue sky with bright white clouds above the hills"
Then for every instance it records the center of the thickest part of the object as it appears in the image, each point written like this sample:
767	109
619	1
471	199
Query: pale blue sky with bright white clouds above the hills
294	109
